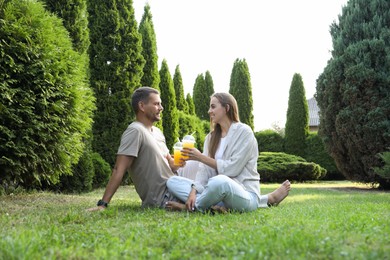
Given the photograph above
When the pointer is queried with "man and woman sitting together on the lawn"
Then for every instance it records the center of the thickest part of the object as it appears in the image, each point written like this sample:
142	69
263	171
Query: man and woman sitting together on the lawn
225	173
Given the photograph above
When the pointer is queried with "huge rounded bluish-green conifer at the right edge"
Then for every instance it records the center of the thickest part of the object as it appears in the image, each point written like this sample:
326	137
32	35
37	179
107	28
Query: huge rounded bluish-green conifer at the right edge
353	90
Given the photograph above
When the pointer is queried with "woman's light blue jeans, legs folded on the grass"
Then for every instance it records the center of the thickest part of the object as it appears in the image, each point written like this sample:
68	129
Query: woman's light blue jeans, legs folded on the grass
219	189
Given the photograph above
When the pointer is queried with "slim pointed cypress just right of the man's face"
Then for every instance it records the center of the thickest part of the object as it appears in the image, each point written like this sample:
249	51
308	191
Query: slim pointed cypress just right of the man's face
168	98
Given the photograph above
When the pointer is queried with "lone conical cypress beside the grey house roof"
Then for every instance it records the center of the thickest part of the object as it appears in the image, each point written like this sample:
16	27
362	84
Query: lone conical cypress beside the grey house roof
297	123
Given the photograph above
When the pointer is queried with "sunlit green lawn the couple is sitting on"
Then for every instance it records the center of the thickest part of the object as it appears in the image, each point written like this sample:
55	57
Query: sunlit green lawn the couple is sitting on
325	220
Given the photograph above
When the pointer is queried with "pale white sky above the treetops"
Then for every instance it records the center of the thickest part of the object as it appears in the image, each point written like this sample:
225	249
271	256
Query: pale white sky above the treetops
276	38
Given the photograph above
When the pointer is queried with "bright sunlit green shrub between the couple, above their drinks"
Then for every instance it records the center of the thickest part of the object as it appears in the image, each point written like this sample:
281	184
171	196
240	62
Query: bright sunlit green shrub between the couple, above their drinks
189	124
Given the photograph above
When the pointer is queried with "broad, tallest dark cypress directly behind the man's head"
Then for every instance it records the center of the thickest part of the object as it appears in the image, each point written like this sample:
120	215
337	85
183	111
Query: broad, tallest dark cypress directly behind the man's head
116	65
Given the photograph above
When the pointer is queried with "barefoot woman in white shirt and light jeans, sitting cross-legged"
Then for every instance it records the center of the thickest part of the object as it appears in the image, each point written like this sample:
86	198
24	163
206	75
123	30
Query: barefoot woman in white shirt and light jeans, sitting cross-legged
228	167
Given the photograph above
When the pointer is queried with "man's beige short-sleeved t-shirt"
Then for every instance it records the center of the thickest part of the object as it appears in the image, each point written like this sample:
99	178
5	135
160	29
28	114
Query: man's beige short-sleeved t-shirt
150	169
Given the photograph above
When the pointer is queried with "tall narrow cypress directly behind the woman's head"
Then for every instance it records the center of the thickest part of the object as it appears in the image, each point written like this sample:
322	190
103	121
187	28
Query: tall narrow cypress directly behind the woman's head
241	89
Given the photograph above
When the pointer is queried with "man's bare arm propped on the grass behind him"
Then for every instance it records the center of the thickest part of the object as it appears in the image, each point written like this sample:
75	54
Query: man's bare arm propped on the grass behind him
123	163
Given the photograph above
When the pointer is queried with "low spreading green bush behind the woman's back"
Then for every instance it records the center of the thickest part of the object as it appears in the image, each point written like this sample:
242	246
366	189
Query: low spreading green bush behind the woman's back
277	167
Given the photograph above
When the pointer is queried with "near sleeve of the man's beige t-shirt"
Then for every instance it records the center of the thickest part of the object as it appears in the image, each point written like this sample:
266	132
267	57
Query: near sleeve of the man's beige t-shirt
130	142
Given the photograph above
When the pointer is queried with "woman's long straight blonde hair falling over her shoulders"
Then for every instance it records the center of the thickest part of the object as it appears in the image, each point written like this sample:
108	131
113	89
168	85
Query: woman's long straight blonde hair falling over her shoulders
230	104
